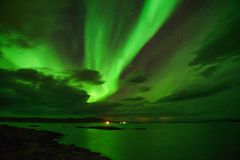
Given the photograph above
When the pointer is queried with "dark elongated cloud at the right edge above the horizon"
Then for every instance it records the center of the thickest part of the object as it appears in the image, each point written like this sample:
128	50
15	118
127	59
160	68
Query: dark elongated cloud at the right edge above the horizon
217	79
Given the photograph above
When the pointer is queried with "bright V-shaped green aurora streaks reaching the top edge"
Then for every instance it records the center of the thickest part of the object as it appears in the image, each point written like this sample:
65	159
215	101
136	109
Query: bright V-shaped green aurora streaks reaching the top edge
111	61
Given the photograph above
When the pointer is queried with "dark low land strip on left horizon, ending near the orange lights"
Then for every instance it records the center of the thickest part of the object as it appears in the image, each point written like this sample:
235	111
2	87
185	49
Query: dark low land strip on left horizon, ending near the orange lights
56	120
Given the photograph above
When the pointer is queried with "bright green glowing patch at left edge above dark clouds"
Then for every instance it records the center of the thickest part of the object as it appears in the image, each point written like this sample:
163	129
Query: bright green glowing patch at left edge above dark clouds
41	55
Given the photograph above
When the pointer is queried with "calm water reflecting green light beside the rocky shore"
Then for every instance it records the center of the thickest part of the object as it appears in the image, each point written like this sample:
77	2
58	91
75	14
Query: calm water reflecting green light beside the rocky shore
185	141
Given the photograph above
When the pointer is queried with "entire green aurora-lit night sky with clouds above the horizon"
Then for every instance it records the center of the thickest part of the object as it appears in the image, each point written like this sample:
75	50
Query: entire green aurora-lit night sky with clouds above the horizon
123	59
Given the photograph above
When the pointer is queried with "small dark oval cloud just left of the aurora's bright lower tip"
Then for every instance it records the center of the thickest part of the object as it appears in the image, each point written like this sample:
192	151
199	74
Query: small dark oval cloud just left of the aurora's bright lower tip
87	75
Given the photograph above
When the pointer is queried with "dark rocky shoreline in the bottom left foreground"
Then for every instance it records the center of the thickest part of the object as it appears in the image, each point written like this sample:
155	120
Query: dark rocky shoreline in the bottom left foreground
28	144
